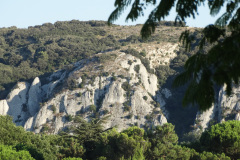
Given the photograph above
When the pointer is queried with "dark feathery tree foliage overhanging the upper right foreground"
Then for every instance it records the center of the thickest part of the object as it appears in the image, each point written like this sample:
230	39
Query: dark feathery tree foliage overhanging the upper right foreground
216	61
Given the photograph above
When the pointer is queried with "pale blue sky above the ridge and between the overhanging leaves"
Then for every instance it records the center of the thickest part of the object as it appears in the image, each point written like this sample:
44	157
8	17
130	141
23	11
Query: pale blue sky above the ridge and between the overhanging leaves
24	13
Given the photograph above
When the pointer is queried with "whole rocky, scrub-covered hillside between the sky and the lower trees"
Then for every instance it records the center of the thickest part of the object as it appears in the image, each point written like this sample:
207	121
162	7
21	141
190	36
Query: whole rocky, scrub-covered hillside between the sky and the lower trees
54	73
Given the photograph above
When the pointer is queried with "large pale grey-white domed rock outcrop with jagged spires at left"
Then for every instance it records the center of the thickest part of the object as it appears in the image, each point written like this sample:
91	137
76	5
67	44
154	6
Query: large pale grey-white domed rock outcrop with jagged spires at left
117	87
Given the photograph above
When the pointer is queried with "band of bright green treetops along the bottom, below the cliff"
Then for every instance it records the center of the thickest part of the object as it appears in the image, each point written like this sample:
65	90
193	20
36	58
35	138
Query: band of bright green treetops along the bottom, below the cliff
90	141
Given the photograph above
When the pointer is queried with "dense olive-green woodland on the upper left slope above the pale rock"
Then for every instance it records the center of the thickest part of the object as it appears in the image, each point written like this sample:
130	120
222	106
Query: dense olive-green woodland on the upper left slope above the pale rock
27	53
